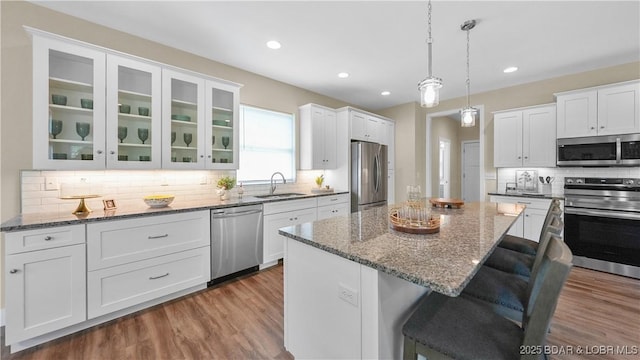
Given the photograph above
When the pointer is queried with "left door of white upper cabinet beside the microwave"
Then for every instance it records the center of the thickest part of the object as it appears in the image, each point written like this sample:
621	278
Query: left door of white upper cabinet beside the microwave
507	140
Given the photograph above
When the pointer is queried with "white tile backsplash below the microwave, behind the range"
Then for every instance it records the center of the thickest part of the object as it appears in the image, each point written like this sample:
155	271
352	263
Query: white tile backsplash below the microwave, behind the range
508	175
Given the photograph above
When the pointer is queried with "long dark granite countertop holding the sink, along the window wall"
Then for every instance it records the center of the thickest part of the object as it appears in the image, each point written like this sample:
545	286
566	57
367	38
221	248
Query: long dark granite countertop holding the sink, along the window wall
43	220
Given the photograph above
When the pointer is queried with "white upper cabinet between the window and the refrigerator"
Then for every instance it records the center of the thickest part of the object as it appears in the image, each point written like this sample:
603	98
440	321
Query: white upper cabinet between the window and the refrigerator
318	137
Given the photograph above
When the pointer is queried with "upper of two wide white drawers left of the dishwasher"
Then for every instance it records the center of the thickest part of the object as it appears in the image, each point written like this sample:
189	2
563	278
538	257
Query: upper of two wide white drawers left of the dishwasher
124	241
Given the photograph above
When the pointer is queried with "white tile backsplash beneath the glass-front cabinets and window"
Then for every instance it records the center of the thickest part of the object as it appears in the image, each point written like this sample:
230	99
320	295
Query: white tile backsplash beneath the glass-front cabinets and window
41	190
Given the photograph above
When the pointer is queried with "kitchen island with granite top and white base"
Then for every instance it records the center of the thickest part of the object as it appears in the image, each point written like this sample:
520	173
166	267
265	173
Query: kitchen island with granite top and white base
352	281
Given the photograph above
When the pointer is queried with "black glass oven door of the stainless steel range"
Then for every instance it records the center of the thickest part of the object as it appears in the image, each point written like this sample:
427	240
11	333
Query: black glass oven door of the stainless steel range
612	236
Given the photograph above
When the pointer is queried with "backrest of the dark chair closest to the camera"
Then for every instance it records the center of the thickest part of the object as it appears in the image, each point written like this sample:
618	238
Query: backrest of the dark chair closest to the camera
543	295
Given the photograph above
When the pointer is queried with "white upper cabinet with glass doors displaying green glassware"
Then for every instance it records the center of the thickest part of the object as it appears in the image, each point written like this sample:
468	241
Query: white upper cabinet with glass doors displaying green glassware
94	109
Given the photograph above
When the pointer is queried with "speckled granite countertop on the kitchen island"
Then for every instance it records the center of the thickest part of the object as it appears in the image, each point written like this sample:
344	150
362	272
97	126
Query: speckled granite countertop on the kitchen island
444	261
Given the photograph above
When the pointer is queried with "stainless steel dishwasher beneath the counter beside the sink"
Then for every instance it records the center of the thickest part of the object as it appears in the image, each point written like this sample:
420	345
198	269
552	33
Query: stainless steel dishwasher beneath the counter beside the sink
236	240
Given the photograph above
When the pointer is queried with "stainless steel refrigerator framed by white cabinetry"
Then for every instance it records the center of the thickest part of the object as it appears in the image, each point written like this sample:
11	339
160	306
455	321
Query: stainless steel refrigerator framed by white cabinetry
368	175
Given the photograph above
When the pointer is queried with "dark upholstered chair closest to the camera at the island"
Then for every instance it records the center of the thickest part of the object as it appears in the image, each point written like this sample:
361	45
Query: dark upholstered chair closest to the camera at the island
460	328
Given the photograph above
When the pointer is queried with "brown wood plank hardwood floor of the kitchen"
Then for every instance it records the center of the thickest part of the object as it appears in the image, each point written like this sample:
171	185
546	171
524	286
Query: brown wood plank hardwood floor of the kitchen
243	319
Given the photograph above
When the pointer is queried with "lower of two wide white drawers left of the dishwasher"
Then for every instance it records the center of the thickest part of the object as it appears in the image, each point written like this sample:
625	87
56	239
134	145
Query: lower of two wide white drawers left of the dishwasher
131	284
